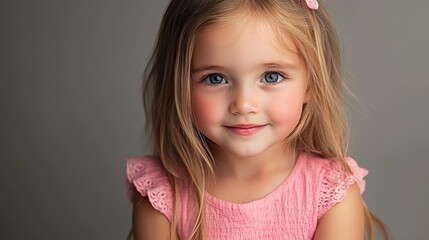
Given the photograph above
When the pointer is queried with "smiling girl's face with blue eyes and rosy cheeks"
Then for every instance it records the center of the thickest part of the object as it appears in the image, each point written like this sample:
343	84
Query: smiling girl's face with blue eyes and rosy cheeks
248	90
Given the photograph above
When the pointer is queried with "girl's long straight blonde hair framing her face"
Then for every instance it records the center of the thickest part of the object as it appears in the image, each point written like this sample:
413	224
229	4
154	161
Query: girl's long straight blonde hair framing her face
322	130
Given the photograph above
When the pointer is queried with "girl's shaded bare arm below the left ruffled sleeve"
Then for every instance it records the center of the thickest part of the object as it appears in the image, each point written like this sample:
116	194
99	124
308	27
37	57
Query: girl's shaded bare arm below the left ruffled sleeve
148	223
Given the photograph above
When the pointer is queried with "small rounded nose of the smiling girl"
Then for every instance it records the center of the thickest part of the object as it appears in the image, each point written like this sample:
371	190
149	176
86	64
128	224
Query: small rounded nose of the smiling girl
243	101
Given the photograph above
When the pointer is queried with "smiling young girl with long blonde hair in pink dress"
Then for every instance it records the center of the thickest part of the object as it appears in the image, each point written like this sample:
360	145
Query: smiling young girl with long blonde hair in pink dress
244	99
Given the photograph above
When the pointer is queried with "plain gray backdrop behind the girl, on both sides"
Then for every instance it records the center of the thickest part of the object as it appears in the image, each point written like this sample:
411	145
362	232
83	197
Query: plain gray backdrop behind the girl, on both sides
71	111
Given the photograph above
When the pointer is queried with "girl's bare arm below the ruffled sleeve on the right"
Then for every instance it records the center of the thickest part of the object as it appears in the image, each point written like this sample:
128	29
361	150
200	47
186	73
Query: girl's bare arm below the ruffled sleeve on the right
345	220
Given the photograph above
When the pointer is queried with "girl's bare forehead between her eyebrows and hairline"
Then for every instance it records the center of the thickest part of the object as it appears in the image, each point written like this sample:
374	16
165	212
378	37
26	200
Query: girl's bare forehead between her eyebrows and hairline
243	43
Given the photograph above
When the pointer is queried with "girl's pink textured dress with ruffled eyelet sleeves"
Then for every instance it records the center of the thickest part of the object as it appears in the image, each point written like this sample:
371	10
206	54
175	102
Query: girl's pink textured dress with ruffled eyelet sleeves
291	211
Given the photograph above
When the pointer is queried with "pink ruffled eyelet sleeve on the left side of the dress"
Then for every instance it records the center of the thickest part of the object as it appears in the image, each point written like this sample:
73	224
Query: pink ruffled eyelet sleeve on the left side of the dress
147	177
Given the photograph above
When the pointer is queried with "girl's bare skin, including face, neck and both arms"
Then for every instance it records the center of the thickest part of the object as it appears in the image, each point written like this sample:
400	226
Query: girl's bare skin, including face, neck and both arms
241	75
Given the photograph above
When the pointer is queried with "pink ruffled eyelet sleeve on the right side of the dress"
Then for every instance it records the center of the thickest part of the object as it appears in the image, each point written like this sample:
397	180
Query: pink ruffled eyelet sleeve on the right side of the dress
336	182
